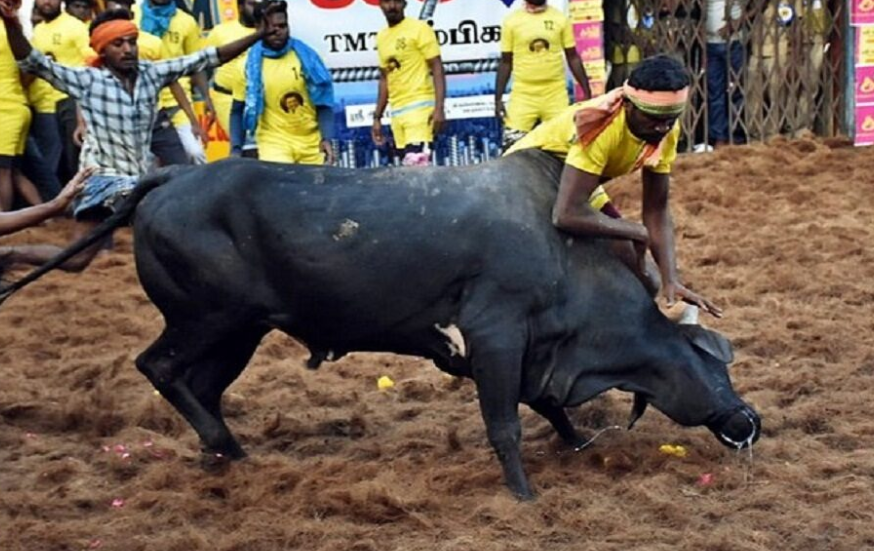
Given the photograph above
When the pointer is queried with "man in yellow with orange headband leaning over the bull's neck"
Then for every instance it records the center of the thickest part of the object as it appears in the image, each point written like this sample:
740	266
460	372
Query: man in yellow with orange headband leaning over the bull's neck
632	127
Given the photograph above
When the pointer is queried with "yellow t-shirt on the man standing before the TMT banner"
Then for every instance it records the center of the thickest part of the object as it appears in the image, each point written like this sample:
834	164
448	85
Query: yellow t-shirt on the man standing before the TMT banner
403	53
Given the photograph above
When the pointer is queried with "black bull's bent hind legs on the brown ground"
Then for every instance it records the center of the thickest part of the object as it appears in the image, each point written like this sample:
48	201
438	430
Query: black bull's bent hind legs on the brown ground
191	368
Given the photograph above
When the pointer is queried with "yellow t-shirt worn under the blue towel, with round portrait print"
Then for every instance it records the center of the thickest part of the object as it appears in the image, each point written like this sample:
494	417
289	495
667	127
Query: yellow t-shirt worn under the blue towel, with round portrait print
288	109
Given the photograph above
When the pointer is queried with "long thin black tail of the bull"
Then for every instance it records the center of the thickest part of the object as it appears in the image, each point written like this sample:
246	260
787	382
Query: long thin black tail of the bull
121	216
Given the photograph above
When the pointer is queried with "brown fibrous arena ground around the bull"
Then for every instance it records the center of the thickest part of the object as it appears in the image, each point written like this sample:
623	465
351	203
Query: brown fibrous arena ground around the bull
92	458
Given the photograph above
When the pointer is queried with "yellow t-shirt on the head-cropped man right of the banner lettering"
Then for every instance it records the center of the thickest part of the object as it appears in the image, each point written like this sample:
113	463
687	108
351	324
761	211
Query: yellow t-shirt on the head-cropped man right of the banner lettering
537	42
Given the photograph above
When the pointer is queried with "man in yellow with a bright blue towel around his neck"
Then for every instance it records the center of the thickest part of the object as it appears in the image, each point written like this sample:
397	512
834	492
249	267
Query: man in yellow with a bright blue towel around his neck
283	98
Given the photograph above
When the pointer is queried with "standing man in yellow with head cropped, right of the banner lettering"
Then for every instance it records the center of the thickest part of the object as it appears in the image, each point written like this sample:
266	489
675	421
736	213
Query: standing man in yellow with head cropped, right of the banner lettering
535	42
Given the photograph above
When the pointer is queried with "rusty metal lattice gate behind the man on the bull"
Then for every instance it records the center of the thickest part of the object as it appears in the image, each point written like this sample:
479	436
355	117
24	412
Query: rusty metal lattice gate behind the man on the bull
771	66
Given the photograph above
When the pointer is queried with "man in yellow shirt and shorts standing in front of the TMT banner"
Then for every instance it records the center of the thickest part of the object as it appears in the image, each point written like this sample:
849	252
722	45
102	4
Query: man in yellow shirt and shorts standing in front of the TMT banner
411	80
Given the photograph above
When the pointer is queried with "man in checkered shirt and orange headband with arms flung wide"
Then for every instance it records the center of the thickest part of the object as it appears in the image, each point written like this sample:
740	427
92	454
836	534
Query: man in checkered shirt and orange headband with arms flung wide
118	96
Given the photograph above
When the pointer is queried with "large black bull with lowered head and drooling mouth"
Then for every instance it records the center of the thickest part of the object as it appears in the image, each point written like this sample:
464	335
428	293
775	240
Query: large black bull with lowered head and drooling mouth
459	265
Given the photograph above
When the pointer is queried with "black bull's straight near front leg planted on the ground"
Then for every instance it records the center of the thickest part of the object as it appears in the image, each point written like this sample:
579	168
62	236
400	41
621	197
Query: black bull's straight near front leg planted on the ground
498	377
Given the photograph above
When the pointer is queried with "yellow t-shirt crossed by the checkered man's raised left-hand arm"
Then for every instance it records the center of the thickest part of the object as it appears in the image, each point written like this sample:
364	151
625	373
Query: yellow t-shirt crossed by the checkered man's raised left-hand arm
64	39
